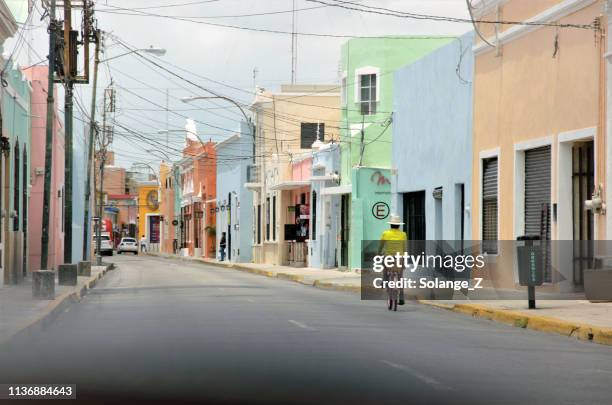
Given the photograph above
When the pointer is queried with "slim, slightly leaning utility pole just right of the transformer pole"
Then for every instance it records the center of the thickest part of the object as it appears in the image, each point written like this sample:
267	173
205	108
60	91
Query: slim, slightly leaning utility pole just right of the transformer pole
92	130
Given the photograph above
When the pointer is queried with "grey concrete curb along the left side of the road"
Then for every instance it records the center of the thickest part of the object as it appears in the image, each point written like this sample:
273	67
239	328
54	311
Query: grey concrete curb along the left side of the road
56	307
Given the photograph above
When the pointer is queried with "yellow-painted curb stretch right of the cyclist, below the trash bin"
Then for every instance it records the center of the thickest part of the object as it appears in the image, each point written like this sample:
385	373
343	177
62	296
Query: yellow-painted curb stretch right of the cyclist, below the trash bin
538	323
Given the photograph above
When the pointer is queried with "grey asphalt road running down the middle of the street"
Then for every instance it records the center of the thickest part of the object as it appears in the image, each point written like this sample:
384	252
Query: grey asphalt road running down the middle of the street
159	329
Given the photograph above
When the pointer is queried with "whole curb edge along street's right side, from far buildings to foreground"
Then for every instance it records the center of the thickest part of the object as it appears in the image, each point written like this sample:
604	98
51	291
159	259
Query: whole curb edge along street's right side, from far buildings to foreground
518	319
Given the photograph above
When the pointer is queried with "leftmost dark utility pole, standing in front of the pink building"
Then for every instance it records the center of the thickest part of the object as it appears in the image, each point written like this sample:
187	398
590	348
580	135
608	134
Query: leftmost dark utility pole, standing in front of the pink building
49	138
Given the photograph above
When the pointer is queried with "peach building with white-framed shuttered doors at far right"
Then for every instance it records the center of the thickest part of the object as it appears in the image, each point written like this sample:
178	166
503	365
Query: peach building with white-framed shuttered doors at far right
539	125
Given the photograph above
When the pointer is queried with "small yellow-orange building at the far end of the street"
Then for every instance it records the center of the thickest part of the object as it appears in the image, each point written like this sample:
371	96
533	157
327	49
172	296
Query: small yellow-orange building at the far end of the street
148	214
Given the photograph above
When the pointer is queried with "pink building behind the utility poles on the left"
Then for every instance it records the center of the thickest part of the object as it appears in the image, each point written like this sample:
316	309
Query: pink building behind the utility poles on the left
38	77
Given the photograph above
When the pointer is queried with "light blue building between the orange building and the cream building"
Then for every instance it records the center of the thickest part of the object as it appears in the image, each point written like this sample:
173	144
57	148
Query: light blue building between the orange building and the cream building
234	202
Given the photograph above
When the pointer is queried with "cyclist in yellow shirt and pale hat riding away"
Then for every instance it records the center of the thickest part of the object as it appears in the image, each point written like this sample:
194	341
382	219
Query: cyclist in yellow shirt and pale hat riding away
393	241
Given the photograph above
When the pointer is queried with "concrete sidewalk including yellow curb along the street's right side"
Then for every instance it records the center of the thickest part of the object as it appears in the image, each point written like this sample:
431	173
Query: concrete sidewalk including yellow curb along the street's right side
580	319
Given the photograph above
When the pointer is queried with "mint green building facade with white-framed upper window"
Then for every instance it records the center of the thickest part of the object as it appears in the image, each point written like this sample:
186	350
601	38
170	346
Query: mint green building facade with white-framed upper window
366	158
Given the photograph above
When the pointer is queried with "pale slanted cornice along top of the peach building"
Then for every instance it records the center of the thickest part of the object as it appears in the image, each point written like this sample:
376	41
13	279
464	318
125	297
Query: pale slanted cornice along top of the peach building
552	14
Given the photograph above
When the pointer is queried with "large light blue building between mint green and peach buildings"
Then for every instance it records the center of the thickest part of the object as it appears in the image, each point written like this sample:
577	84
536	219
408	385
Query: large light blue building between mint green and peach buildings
432	143
